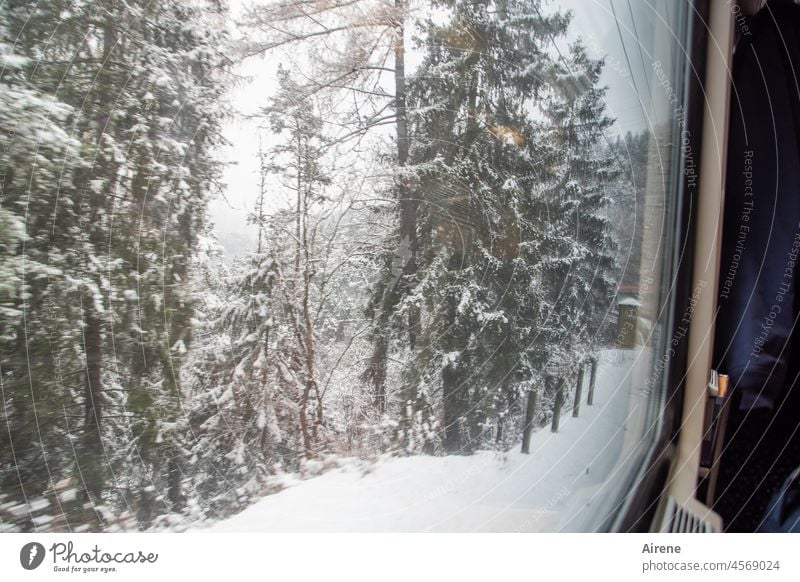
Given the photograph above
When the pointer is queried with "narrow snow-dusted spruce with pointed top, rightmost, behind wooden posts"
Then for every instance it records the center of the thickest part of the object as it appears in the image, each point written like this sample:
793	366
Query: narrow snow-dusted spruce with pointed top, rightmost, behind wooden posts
578	275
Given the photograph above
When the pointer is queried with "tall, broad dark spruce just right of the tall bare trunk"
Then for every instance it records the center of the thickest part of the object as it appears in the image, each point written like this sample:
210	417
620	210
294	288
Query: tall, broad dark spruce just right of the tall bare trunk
475	152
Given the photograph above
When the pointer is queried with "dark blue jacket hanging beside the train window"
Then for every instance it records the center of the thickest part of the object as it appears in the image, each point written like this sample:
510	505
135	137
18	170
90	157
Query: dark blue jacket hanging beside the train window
757	339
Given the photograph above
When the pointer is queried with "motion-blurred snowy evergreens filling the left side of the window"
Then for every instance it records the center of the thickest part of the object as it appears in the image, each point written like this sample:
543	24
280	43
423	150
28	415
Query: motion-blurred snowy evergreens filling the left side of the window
121	114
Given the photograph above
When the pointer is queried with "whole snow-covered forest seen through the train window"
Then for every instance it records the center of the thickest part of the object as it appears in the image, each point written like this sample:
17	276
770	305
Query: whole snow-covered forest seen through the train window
444	222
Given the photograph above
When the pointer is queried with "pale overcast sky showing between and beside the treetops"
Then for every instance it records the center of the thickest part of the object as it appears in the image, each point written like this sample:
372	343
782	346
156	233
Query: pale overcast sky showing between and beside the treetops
593	21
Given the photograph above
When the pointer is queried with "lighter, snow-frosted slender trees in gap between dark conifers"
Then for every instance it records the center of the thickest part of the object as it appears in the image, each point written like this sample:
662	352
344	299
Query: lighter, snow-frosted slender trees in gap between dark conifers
282	334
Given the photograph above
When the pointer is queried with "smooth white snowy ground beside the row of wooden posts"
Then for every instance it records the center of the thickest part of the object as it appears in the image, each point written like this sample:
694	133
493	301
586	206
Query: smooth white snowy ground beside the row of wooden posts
569	481
